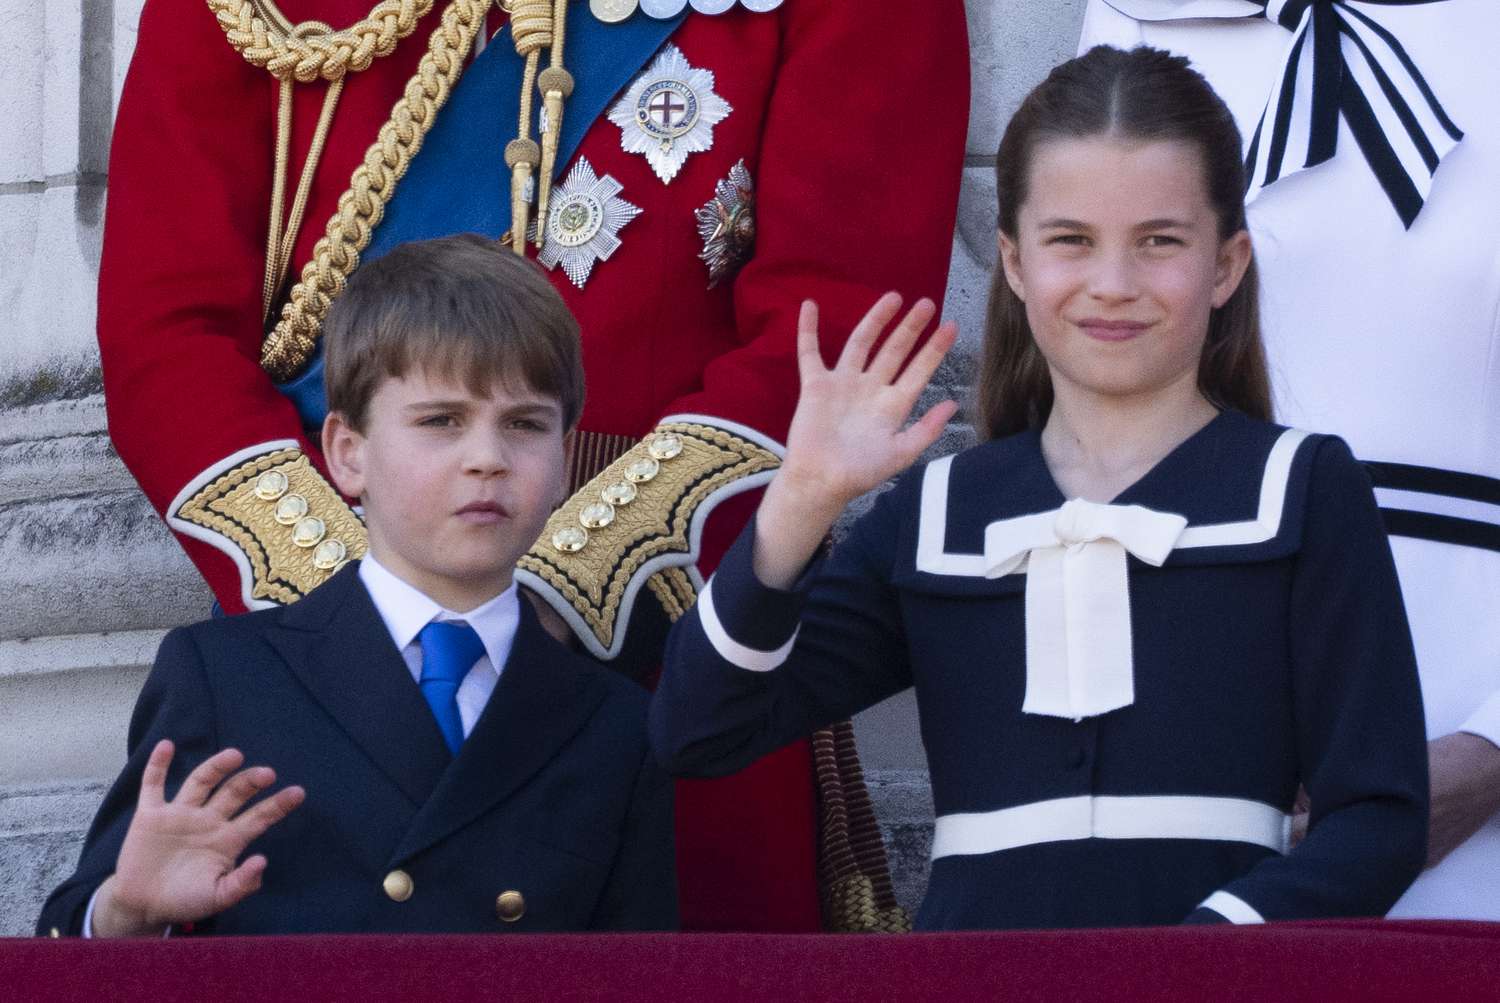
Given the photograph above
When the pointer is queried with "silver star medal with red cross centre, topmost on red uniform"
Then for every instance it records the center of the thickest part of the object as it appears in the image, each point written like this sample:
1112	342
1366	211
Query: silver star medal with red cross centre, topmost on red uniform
668	113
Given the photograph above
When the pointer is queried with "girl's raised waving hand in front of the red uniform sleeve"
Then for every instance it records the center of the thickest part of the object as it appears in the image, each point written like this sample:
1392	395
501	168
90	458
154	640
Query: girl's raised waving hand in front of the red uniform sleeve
848	436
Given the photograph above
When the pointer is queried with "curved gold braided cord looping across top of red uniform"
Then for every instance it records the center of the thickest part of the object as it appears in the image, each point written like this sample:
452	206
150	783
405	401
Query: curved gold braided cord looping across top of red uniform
307	52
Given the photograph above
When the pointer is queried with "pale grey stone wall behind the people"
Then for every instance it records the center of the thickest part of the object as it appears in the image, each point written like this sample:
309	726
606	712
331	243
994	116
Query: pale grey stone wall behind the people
91	579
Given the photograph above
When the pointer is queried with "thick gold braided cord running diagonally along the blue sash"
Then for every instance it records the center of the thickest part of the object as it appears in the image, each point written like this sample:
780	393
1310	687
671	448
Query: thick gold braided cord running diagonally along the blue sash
337	254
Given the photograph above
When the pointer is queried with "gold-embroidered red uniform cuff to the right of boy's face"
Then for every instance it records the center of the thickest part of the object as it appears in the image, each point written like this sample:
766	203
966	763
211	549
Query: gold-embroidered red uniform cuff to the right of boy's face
638	525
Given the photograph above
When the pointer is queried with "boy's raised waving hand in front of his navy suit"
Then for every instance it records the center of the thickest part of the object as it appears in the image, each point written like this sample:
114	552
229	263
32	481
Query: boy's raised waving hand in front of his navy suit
181	860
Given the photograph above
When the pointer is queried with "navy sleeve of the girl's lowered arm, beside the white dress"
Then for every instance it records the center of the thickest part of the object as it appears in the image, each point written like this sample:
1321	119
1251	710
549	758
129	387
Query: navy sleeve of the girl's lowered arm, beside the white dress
1361	741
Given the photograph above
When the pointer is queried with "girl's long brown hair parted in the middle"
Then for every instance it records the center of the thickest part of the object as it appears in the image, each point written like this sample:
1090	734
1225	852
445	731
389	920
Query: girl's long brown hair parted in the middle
1144	95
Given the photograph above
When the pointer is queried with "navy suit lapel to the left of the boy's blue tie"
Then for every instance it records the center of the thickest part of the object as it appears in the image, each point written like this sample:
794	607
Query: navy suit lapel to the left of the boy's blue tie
340	648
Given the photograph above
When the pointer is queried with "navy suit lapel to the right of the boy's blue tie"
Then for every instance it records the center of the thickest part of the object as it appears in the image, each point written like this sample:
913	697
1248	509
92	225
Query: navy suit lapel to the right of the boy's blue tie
541	702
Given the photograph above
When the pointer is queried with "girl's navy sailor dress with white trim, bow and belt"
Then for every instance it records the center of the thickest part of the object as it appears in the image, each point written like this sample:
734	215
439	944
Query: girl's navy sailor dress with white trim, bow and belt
1118	702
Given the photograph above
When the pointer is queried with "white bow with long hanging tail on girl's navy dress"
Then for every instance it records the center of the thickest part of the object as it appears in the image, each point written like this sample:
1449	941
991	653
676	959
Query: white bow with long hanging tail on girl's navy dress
1079	659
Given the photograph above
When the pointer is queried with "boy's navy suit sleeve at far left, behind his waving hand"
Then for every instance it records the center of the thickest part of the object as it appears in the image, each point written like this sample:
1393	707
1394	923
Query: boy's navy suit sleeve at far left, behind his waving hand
176	702
